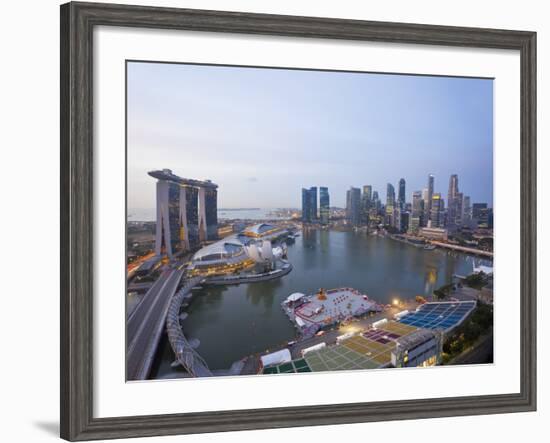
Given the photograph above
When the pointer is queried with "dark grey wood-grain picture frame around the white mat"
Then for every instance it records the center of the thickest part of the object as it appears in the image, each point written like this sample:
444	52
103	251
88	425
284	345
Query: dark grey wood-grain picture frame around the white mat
77	23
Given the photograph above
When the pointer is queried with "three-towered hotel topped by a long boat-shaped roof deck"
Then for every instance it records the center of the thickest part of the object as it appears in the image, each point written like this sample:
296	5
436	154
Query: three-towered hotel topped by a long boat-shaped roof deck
187	213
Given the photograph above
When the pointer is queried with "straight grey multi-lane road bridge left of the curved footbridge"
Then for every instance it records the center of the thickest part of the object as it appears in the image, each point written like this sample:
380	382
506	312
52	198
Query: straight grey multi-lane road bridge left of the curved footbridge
146	323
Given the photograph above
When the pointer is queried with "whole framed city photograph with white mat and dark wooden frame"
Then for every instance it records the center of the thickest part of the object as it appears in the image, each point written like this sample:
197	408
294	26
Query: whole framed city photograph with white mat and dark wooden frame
272	221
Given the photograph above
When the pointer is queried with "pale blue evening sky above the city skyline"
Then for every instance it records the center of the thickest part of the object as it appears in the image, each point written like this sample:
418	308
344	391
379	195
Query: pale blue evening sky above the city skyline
264	134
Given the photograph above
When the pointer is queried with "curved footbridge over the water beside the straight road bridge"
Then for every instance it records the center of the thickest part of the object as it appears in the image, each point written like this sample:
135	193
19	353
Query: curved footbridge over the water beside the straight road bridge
184	349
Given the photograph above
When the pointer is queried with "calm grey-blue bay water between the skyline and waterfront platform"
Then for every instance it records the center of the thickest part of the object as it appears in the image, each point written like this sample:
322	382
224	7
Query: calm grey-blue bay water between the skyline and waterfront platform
232	322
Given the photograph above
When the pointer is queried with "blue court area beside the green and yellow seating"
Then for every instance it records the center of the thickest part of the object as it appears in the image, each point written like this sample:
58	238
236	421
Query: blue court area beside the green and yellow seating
443	315
